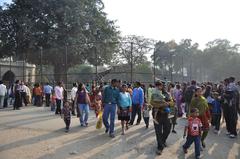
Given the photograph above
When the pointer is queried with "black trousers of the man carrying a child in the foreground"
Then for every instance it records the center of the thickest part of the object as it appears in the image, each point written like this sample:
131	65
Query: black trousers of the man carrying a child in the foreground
162	131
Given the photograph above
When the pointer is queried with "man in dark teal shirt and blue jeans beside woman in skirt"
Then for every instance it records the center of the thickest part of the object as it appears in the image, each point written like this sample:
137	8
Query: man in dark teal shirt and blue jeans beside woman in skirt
110	99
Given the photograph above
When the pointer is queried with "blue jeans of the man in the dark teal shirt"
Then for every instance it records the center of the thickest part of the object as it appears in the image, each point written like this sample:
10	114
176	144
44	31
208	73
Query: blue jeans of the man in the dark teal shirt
109	109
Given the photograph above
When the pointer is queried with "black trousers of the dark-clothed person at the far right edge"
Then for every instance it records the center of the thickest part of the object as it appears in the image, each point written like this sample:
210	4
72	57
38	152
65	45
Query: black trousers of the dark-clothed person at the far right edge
231	117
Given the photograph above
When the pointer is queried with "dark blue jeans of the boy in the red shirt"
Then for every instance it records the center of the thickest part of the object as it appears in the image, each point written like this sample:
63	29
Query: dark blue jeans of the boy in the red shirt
190	140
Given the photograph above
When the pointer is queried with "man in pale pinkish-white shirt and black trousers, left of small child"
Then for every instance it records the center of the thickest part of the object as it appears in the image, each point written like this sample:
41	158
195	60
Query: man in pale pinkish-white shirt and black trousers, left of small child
59	96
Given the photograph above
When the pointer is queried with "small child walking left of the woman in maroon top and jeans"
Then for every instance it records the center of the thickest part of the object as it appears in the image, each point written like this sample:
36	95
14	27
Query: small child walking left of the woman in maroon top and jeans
66	115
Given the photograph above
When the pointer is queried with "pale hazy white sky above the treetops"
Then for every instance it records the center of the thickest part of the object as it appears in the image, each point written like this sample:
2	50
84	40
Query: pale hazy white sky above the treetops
200	20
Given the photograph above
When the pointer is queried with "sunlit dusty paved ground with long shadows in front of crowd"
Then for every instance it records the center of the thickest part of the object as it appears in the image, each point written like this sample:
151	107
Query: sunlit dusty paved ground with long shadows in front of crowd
36	133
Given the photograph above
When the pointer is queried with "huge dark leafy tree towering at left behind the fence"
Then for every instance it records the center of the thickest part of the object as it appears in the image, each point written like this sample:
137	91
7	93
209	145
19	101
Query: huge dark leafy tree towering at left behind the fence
72	28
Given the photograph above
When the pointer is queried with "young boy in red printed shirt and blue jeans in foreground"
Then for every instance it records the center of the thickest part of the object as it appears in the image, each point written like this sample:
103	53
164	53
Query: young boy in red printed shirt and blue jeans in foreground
193	127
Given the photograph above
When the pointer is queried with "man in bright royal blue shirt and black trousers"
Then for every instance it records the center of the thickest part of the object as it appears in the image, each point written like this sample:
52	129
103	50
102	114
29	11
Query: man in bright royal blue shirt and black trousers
137	103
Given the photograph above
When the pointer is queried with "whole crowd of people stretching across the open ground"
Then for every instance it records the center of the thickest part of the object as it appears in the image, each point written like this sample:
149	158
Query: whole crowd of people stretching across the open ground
203	104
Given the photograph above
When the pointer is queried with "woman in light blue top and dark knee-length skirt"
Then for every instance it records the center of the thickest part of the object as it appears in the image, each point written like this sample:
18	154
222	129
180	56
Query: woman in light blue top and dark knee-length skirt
124	103
